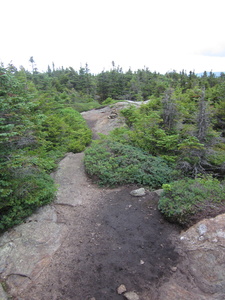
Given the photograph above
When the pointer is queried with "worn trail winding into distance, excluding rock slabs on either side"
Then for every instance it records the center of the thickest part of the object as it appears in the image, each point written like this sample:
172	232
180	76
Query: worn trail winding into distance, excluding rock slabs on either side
113	238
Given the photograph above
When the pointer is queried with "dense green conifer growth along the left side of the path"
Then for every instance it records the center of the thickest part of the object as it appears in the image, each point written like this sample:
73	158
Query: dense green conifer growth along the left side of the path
37	128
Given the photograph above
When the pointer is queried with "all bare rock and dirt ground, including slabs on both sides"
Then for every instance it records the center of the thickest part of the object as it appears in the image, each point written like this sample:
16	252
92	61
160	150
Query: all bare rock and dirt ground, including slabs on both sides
91	240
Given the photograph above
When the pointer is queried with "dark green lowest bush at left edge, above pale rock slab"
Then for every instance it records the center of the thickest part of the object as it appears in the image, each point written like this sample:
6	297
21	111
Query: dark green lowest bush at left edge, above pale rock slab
28	191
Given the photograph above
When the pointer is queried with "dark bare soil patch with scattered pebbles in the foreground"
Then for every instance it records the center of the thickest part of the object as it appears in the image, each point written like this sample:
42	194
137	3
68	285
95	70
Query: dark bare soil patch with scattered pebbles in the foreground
122	240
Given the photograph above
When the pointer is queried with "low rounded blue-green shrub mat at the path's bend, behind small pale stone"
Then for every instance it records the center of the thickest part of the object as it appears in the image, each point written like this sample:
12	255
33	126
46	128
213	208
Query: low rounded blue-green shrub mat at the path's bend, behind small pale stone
112	163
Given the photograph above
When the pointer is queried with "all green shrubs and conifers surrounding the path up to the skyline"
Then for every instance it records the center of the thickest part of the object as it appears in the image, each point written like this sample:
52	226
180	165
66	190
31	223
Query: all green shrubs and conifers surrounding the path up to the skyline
179	135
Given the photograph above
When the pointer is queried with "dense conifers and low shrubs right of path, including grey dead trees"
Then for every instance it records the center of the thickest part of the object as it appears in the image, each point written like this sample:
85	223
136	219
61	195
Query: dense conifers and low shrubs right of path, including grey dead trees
176	142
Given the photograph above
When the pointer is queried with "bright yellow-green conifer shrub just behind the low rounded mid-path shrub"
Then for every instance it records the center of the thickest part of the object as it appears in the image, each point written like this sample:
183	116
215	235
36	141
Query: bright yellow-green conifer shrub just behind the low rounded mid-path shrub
143	131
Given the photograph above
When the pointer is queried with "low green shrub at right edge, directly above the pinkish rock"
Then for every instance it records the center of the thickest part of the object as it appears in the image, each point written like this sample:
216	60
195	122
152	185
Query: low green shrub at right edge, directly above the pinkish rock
187	200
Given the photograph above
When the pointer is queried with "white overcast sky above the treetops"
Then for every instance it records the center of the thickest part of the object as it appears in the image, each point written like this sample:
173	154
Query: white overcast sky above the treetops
163	35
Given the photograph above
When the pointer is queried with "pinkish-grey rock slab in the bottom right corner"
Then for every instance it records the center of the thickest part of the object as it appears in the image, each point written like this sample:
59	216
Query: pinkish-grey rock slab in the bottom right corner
202	248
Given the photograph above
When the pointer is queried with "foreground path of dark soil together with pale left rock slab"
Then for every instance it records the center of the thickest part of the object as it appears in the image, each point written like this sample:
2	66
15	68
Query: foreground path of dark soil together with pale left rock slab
89	242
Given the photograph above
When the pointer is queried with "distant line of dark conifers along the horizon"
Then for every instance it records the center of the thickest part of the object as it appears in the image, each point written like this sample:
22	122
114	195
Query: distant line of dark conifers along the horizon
117	84
